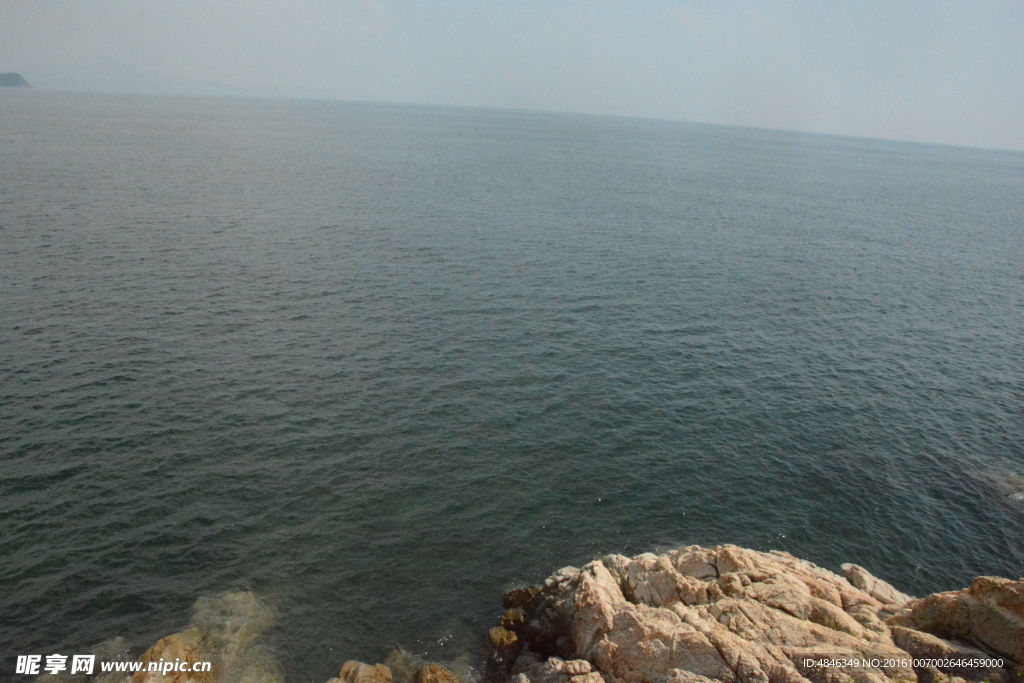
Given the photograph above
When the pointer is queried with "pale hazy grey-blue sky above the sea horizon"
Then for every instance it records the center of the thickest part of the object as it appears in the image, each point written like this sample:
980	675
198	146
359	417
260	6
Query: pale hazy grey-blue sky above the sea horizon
942	72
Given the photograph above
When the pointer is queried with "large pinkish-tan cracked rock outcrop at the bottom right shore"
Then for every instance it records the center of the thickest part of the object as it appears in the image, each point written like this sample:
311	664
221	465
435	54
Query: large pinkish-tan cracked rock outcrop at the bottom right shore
738	616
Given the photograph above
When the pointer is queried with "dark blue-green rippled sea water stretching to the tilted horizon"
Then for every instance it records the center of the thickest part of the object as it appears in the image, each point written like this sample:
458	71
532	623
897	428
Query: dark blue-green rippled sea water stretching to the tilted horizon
381	364
